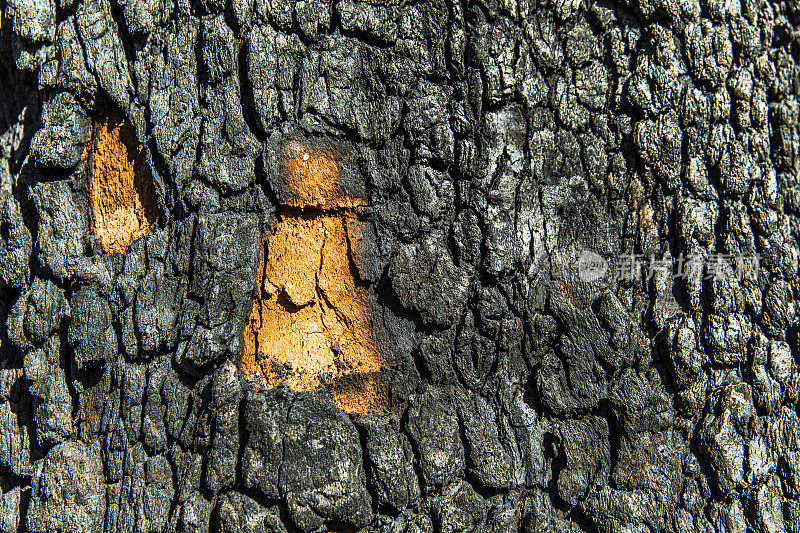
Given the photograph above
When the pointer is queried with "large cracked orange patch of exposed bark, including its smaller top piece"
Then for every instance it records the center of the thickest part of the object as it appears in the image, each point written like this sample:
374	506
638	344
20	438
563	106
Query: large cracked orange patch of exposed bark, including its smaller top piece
311	325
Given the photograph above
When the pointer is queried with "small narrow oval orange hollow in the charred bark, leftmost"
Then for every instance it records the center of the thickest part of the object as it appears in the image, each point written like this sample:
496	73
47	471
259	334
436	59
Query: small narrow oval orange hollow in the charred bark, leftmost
122	197
